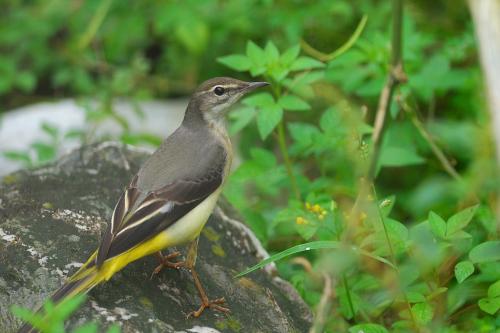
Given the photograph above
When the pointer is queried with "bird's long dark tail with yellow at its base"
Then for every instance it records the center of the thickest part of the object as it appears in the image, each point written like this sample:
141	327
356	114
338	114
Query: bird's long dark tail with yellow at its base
81	282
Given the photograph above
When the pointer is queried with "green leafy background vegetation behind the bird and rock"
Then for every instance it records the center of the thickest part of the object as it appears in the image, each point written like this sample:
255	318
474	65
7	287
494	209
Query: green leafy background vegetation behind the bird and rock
305	144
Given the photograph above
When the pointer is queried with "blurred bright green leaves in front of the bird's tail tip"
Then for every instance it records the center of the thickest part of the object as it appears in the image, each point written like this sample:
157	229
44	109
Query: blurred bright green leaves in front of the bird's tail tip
52	318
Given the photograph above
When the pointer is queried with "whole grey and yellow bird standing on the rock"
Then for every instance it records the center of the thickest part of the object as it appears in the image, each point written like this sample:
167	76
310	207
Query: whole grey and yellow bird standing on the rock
171	197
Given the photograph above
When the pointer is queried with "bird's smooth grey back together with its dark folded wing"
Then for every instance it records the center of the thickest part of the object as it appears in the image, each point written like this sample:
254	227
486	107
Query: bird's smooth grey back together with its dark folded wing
174	180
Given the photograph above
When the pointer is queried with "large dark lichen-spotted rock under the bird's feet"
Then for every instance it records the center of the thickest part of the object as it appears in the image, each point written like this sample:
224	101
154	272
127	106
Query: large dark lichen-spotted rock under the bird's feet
51	219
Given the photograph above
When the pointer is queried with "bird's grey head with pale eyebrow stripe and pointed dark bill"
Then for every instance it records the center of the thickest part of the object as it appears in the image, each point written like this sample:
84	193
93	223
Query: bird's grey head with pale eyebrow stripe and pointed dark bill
214	97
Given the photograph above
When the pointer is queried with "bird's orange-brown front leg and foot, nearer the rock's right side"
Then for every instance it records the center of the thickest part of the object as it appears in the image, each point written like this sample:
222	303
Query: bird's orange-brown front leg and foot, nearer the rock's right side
205	302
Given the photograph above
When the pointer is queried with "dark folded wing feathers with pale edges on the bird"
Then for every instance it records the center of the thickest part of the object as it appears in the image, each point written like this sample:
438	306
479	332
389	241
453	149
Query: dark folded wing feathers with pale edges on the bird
140	215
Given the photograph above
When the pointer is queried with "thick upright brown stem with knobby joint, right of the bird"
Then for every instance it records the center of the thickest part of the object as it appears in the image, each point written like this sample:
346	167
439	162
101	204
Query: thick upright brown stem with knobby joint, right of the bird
395	76
